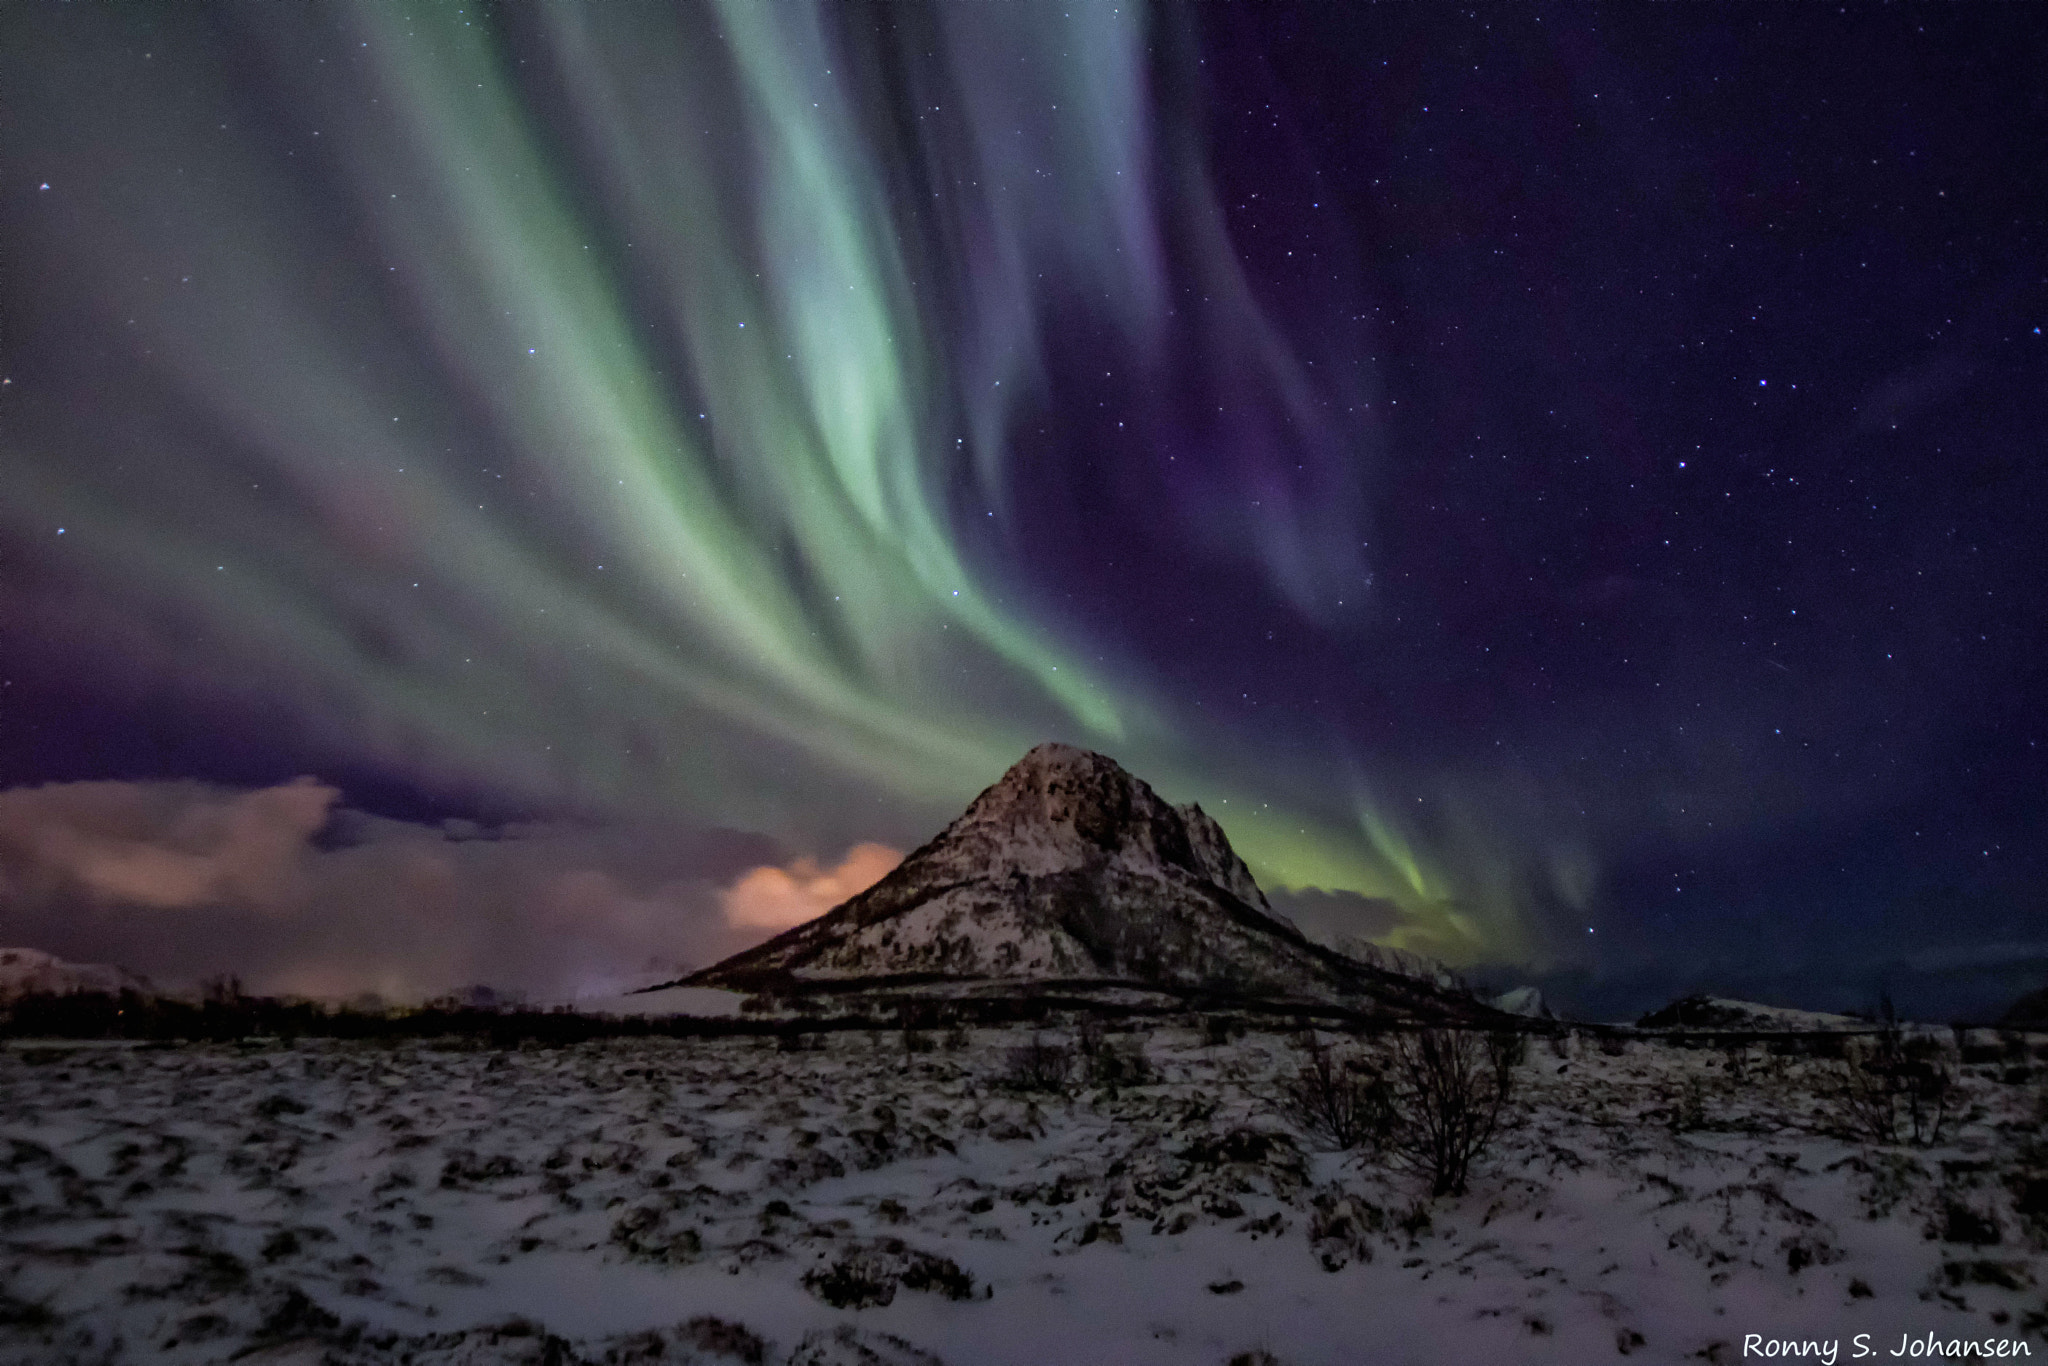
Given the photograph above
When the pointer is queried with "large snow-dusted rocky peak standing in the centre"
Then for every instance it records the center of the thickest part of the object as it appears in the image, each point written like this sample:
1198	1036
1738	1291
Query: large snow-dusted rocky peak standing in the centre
1072	871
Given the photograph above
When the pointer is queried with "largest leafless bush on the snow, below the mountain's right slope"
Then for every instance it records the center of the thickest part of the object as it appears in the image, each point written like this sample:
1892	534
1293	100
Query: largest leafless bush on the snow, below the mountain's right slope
1451	1099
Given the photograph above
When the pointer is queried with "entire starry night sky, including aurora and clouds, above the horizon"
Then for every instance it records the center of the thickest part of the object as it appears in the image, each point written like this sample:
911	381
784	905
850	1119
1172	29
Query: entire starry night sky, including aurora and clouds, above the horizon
542	495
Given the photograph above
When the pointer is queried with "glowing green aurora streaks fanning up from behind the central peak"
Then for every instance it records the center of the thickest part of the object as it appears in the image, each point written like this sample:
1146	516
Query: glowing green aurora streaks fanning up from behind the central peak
591	419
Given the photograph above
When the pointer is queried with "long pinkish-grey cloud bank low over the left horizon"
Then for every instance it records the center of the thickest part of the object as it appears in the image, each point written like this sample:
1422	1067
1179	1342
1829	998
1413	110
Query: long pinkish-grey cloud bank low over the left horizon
298	894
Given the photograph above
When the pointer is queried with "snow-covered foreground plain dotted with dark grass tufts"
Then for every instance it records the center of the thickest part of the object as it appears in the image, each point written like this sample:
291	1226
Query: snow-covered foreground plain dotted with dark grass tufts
706	1201
